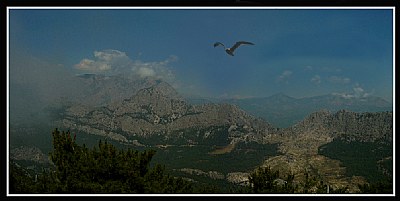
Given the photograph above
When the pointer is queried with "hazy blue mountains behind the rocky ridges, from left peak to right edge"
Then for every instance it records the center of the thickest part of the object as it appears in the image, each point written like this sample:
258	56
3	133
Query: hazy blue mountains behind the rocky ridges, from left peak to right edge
279	109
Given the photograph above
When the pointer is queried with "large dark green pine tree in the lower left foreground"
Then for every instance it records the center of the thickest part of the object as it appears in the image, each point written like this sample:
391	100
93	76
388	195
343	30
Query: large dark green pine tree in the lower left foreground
105	169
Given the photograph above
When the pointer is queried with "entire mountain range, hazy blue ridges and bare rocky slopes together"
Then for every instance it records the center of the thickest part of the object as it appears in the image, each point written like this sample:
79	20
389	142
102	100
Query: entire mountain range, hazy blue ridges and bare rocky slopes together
151	113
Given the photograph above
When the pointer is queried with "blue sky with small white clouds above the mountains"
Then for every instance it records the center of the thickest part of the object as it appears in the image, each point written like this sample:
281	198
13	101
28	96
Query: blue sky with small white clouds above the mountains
298	52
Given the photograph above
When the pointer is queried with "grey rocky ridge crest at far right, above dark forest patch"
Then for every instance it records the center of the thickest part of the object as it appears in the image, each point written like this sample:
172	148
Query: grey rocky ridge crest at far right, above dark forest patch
348	125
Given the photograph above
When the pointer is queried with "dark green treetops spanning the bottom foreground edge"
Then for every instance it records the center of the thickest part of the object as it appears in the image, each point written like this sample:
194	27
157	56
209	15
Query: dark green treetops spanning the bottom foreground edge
106	169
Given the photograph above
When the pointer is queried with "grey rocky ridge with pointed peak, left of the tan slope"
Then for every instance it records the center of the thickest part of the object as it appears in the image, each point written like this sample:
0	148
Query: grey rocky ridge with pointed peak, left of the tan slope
159	110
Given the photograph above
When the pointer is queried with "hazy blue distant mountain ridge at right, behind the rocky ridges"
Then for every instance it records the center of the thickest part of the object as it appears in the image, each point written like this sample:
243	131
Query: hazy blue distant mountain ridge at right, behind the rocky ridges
284	111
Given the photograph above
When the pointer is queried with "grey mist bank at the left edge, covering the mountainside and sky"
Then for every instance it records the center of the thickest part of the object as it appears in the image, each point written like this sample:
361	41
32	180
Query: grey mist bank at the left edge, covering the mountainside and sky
34	85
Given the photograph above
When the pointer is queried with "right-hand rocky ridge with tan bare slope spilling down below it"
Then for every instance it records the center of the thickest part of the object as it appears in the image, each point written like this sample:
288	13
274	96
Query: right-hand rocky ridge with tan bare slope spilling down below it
299	144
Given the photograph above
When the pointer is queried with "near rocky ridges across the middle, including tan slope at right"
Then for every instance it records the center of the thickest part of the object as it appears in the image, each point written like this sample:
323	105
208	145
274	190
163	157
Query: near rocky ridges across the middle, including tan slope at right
153	114
